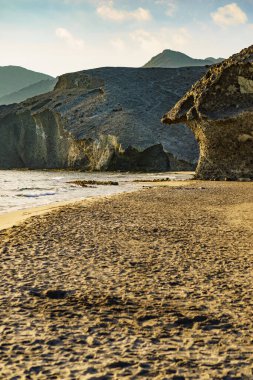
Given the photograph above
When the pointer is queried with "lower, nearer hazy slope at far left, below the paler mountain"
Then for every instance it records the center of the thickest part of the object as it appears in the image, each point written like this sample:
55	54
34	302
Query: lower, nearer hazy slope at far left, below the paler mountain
38	88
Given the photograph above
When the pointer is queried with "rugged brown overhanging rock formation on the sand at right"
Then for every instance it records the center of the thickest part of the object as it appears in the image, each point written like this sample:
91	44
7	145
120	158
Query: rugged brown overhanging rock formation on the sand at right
219	110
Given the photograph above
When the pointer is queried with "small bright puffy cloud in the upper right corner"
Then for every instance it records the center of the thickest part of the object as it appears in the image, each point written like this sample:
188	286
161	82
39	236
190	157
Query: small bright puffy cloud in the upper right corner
230	14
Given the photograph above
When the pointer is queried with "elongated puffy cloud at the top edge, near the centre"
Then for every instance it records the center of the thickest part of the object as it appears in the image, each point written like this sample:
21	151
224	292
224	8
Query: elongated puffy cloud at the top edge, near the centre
109	12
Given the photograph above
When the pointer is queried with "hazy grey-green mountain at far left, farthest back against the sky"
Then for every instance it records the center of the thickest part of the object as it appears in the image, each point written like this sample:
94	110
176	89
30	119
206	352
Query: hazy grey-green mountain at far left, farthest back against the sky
15	78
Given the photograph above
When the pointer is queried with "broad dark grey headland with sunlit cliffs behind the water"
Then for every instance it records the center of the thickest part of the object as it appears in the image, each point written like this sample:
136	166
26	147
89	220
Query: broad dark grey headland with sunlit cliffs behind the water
101	119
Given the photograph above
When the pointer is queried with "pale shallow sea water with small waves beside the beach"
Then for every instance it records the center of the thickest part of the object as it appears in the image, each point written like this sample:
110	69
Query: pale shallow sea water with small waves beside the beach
21	189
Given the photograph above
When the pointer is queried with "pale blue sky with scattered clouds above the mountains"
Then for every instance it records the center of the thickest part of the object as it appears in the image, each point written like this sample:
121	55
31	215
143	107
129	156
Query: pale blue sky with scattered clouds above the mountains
59	36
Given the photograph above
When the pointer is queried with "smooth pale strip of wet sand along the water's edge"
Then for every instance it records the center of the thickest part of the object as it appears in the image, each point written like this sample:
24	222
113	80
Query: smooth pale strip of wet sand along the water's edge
17	217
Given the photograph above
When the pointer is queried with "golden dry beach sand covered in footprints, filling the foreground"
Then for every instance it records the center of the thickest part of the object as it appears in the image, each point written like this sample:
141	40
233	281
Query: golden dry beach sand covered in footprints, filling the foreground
153	284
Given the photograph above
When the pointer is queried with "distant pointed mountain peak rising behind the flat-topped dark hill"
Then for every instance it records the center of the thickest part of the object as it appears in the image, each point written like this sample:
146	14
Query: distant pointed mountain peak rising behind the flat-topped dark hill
173	59
